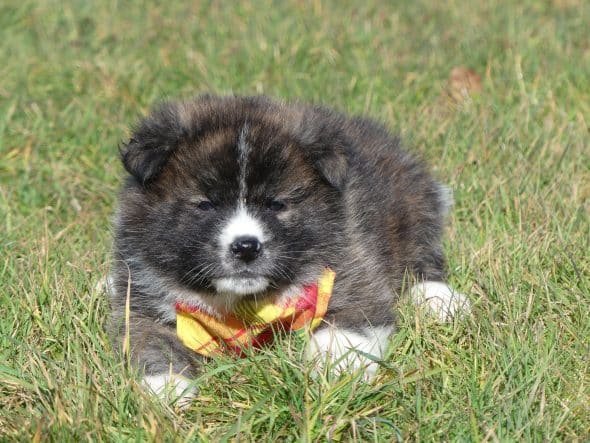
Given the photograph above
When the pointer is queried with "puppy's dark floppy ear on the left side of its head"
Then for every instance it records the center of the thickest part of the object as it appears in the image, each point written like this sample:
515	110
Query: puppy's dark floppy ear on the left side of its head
153	140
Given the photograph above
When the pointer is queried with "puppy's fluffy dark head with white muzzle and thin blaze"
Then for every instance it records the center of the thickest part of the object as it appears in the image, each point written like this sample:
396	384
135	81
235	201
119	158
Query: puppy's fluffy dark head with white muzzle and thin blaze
232	195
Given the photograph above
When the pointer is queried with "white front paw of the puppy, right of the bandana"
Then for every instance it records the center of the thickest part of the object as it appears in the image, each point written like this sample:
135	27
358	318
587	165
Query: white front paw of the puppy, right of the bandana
337	349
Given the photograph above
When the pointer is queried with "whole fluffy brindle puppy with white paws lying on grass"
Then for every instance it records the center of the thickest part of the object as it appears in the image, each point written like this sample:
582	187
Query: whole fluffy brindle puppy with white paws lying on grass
237	200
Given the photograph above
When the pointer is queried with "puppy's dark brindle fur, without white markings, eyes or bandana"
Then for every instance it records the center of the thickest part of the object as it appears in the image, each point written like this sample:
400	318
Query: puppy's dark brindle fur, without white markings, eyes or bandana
356	202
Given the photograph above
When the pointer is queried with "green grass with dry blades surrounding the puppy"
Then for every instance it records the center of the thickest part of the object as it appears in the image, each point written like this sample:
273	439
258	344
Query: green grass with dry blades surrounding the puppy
74	75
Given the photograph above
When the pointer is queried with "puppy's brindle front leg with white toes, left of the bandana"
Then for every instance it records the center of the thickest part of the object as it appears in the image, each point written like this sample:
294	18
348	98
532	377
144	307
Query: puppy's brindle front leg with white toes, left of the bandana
166	363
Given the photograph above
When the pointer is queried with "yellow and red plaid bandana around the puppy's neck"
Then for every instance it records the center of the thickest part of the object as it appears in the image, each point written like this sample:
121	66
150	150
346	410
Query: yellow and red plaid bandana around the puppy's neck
251	323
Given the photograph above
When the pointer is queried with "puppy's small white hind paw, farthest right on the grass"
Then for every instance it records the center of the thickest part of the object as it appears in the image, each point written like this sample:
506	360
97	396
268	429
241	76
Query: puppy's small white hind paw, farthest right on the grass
443	301
